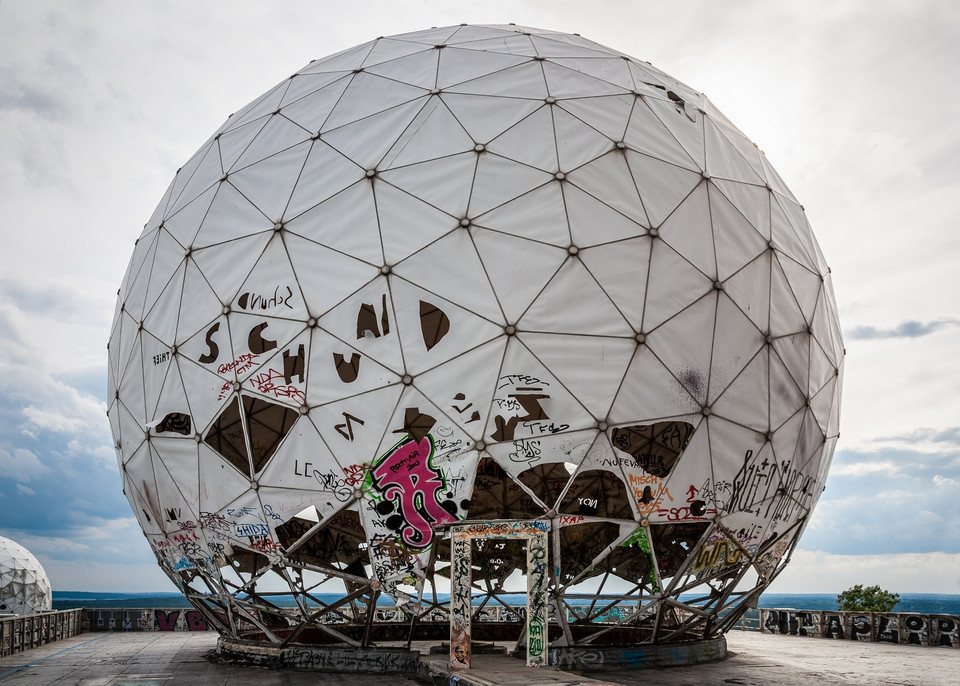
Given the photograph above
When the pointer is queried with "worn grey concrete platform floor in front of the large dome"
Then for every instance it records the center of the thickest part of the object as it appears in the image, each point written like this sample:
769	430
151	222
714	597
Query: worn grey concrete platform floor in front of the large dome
171	658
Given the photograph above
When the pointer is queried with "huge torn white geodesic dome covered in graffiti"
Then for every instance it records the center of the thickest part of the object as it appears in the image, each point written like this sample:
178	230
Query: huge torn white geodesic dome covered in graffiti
476	274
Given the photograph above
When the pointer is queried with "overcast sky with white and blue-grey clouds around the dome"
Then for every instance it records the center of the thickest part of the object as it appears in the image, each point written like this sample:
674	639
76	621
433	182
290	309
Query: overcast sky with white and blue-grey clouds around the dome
856	104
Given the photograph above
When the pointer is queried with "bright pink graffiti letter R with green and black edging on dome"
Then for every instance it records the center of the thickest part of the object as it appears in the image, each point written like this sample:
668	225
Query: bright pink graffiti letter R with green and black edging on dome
406	478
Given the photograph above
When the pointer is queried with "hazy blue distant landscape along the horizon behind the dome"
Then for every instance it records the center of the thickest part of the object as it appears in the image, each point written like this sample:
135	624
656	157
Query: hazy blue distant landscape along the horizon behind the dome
920	603
